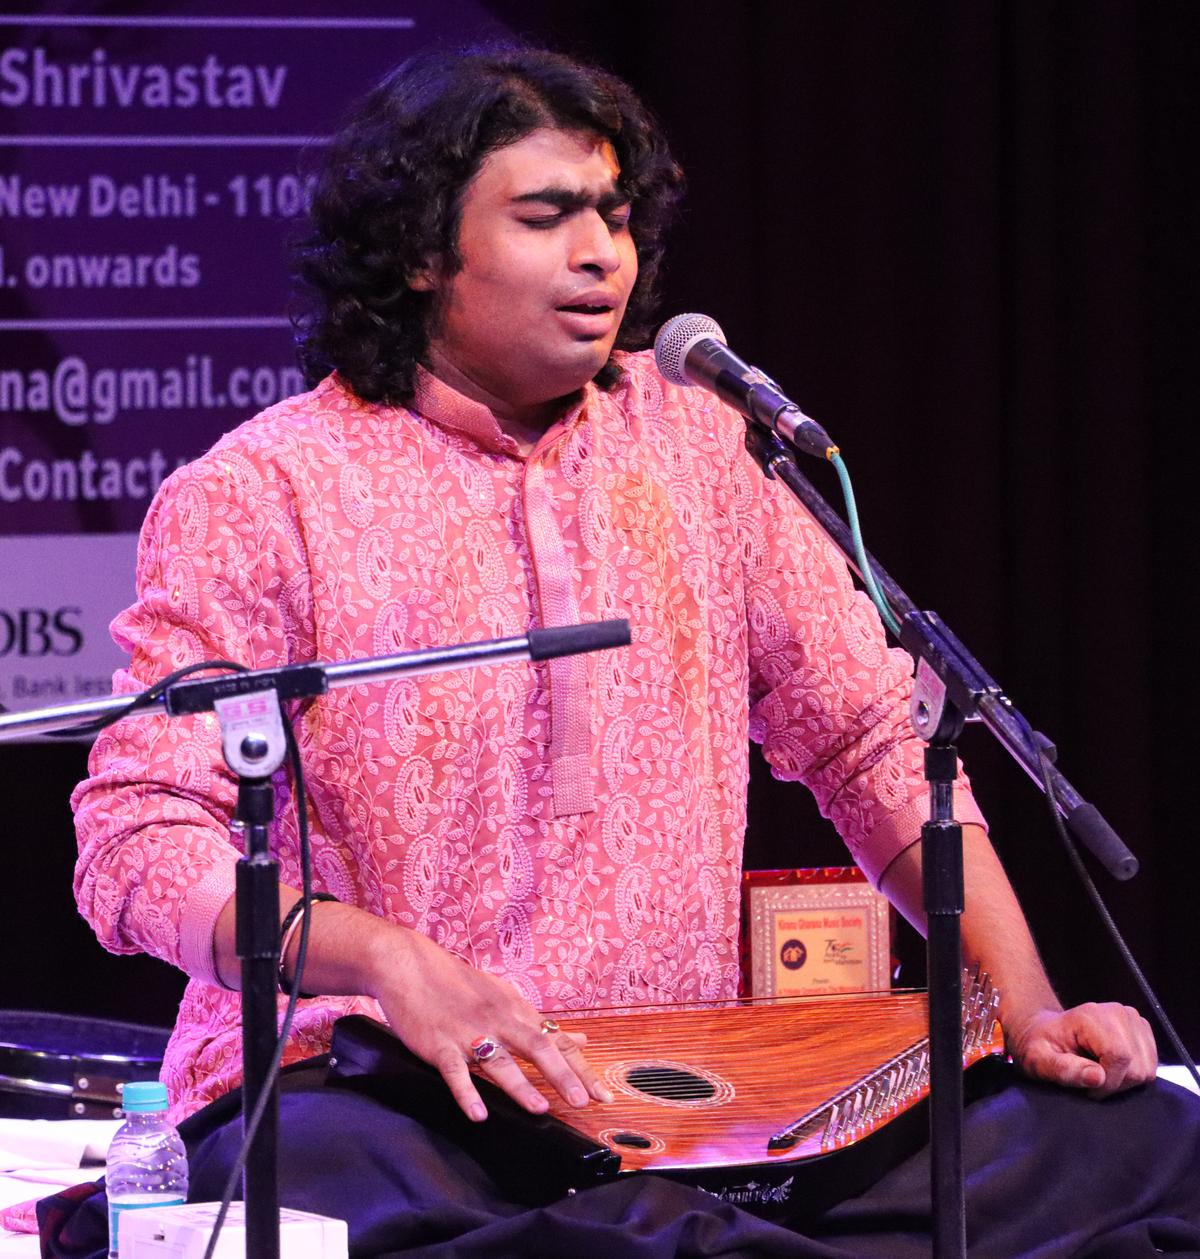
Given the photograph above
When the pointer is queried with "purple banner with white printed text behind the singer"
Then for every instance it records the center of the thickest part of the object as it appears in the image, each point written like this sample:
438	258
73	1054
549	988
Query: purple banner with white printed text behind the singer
152	173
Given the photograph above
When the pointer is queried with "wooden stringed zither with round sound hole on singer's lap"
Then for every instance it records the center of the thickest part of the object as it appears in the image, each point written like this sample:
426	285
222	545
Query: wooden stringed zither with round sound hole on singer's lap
770	1105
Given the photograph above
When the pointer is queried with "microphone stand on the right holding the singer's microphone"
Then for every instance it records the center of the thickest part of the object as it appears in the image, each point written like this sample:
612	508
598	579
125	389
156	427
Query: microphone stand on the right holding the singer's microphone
950	691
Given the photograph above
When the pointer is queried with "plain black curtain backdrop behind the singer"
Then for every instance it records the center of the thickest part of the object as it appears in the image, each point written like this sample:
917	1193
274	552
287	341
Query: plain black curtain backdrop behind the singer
963	236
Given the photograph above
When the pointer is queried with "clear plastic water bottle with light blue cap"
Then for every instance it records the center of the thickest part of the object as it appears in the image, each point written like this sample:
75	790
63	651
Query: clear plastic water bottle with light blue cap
147	1164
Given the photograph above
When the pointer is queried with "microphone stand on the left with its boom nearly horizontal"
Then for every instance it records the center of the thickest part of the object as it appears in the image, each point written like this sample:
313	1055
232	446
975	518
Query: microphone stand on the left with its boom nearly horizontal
254	743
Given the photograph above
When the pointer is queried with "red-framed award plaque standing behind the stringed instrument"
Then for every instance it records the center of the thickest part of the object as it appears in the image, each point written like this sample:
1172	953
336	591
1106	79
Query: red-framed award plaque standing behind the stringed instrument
813	932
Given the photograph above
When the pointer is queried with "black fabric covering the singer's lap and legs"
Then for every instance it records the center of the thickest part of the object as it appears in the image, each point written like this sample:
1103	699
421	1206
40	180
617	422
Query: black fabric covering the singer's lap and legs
1050	1174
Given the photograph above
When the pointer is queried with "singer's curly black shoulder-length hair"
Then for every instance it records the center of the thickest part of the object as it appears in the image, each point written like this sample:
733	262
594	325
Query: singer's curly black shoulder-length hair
390	195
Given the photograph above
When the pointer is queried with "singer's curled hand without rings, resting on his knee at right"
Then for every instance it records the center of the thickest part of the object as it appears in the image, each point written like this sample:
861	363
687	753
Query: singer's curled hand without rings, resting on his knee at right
1104	1048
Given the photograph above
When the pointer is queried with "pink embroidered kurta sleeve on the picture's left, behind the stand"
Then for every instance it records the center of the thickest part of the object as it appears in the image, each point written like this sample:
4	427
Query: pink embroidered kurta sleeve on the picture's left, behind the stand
157	864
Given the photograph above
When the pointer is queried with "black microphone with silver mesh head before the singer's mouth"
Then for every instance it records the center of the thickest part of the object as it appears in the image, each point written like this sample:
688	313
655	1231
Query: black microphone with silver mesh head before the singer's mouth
692	351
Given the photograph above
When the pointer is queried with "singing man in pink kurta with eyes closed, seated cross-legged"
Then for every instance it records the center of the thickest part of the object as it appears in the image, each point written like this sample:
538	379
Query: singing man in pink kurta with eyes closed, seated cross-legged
488	450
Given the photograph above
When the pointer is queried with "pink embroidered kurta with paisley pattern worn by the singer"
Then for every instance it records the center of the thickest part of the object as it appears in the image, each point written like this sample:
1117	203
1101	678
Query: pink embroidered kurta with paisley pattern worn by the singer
576	827
